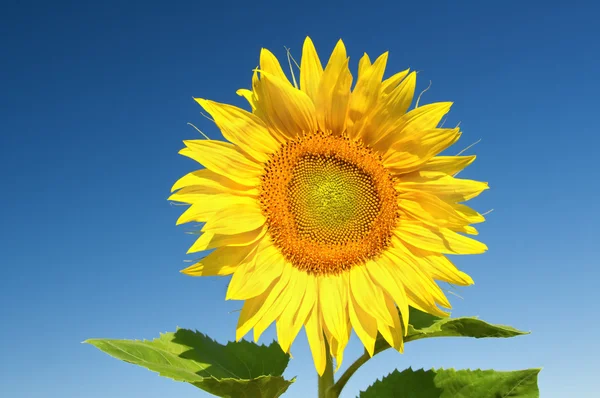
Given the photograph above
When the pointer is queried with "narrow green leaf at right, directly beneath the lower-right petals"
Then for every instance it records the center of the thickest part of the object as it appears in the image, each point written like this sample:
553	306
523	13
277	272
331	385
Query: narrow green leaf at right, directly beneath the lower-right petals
423	325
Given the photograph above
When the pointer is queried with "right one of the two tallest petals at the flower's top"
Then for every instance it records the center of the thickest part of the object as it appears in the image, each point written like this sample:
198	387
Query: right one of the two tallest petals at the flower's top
334	92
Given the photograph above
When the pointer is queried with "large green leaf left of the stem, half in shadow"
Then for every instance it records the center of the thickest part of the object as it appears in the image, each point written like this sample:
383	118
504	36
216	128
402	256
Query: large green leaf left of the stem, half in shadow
241	369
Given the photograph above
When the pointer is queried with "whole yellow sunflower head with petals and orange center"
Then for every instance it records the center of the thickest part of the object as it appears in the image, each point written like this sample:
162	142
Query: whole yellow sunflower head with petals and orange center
329	205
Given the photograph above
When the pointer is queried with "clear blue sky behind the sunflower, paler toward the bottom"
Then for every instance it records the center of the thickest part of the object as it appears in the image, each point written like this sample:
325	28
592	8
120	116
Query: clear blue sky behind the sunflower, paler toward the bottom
94	101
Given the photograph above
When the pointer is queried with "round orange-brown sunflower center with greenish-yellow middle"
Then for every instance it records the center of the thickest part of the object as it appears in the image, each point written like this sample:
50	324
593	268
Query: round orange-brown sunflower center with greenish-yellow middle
329	203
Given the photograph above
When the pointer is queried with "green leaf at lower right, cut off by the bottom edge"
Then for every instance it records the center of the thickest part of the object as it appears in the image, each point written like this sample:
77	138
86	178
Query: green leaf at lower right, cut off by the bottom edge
450	383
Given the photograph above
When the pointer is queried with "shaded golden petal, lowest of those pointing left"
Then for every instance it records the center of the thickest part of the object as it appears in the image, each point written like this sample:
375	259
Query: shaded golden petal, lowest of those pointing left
222	261
